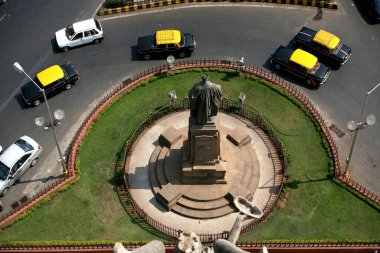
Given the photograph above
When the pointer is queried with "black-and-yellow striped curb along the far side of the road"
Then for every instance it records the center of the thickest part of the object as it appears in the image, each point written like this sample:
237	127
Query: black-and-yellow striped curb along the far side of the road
161	3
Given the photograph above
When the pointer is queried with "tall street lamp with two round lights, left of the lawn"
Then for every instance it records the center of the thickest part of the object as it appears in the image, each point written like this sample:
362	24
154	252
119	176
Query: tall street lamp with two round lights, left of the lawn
59	114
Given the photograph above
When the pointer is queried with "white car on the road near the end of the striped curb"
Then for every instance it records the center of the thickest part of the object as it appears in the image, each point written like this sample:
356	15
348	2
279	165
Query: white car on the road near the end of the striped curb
79	33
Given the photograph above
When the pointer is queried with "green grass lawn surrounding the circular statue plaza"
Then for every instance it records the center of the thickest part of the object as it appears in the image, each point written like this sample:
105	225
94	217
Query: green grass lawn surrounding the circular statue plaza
316	208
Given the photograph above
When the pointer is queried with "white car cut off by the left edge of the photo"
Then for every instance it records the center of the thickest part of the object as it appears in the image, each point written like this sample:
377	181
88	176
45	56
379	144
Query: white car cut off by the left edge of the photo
17	159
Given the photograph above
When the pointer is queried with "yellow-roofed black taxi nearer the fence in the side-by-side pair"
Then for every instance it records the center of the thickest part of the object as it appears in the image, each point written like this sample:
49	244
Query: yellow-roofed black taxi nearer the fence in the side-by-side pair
301	64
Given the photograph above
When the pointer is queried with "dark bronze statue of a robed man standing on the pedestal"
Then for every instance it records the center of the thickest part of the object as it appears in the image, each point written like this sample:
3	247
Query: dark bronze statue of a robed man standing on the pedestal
204	99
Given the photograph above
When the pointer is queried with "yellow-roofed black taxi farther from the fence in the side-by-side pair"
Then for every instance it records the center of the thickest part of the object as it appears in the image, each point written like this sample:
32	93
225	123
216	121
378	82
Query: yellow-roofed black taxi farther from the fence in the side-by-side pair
325	45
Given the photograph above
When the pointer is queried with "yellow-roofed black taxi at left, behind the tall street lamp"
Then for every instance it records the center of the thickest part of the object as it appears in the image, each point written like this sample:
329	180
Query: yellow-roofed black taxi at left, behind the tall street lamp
52	80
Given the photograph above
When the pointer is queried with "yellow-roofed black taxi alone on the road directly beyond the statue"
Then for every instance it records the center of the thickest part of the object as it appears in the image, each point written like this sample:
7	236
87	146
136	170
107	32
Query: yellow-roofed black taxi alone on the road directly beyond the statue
164	43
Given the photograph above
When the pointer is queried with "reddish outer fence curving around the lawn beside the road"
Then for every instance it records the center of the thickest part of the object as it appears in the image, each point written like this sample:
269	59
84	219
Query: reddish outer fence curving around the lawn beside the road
162	69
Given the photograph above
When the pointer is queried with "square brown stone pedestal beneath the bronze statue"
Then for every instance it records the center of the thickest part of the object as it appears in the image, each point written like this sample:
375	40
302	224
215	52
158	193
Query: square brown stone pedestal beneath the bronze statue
204	155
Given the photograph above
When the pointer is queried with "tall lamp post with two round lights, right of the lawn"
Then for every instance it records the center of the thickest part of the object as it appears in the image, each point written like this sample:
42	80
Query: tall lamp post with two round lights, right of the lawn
356	126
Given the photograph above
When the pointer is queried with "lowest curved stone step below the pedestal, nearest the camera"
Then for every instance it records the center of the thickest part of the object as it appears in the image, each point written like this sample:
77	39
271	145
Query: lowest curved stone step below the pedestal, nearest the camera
206	214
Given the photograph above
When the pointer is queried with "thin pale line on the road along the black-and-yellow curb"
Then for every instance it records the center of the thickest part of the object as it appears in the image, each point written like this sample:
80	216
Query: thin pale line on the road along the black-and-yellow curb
155	10
